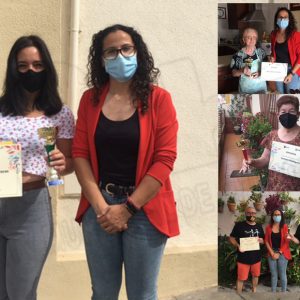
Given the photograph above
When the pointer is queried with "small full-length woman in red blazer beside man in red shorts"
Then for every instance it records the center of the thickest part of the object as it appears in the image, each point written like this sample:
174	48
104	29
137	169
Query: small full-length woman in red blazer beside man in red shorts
277	240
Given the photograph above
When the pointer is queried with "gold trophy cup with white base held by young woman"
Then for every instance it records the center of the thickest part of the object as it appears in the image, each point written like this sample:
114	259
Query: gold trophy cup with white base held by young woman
48	134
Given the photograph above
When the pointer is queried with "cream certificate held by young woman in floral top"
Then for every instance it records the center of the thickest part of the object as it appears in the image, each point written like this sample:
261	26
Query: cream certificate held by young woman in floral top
10	170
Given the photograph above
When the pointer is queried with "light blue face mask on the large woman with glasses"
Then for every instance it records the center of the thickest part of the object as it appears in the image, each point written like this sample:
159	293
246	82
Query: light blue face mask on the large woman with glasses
122	68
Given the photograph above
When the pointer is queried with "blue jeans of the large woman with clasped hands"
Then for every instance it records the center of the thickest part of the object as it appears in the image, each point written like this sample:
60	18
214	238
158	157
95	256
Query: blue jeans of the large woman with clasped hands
140	248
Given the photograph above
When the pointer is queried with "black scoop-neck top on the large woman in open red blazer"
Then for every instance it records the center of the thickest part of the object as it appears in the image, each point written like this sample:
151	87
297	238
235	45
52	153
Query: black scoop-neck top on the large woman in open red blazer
117	145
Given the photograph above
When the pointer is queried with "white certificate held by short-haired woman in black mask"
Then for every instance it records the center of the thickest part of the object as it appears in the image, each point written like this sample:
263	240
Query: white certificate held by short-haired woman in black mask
285	158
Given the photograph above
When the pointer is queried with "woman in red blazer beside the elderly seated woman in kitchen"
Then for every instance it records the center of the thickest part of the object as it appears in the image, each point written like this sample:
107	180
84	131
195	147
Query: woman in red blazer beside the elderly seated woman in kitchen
285	43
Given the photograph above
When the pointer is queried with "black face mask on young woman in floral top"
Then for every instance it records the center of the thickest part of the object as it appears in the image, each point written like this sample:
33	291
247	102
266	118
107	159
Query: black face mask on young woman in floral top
32	81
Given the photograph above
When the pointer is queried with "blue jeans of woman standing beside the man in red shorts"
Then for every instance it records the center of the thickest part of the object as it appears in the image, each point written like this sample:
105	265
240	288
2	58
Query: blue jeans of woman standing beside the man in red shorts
278	266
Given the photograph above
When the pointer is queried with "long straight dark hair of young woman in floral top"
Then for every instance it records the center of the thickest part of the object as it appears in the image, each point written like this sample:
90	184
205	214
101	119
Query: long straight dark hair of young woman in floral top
14	100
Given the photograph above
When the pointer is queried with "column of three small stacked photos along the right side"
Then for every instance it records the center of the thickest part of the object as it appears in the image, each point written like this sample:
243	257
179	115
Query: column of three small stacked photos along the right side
259	147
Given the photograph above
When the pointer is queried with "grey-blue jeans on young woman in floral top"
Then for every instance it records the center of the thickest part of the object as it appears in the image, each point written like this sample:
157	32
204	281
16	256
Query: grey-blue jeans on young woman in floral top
26	231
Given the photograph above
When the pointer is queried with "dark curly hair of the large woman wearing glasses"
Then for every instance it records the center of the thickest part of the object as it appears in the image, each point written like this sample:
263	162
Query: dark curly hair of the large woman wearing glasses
145	75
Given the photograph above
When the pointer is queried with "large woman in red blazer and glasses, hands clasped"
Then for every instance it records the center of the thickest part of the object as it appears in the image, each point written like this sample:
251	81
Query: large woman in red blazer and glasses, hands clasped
124	150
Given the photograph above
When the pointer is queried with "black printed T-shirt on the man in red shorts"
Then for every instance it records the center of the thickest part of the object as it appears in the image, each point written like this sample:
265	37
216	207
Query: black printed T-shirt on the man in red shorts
243	229
